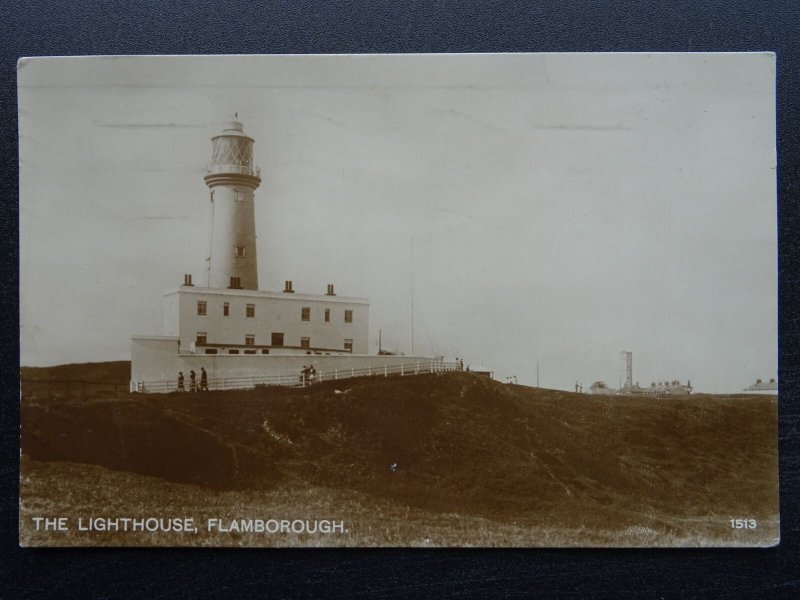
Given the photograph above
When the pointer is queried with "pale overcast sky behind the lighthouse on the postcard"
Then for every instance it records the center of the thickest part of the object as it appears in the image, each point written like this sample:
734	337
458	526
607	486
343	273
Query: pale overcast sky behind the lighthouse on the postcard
551	208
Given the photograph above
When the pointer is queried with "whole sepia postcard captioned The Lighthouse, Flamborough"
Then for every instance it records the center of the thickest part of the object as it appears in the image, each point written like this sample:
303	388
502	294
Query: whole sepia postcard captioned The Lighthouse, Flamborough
452	300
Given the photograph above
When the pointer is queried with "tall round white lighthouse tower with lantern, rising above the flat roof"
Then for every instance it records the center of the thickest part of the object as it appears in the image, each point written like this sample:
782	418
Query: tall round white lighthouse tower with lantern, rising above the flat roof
232	179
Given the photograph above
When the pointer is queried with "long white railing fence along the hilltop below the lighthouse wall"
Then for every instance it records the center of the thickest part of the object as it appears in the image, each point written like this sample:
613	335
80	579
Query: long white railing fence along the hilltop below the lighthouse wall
288	380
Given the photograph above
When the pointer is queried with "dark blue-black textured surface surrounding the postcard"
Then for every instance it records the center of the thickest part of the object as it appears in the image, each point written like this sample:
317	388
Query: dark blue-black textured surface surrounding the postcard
34	28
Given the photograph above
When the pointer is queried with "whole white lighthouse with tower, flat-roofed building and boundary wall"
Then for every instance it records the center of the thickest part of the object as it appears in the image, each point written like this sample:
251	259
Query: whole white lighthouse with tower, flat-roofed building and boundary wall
223	323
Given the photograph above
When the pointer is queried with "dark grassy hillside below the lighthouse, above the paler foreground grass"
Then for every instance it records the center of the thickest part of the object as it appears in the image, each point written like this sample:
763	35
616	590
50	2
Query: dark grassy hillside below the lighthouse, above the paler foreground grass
464	446
